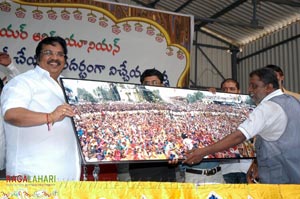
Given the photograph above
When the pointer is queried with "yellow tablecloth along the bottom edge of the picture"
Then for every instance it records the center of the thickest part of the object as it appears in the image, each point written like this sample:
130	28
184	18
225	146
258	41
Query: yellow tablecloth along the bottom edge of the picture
144	190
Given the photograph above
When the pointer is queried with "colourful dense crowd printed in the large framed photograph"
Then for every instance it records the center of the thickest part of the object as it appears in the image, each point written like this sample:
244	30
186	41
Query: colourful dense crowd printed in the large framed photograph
146	131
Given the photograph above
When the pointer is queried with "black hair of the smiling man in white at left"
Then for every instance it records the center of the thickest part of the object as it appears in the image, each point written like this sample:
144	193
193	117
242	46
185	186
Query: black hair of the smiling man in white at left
50	41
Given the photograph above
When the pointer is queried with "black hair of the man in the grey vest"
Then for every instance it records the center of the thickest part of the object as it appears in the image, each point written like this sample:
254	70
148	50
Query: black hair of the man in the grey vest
267	76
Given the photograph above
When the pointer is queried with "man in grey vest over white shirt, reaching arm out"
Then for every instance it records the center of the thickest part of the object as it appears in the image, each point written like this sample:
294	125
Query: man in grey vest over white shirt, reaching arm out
275	123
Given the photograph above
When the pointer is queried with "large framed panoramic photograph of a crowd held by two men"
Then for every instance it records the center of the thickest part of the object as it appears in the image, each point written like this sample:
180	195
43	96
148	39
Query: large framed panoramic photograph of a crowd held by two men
120	122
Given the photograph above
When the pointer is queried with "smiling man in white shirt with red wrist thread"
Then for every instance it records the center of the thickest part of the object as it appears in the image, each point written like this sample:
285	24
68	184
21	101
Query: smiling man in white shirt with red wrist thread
40	138
